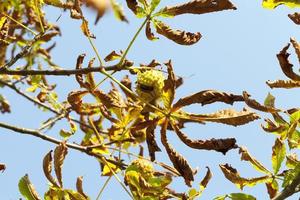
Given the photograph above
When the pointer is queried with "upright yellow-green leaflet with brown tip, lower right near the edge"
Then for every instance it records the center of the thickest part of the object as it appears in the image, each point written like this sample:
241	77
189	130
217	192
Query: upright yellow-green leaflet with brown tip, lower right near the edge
278	155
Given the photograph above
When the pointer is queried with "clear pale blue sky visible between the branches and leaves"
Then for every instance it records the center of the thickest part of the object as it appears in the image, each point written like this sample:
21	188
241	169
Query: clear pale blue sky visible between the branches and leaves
237	52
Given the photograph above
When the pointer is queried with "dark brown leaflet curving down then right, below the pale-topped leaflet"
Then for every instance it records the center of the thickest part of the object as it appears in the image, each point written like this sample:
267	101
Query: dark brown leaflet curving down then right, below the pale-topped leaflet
220	145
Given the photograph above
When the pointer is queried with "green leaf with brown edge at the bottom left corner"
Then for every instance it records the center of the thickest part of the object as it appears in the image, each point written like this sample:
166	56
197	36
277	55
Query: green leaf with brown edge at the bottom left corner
27	189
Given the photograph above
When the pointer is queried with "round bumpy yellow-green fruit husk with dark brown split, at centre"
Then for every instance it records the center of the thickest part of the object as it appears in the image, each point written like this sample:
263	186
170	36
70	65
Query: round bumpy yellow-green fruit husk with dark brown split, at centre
150	84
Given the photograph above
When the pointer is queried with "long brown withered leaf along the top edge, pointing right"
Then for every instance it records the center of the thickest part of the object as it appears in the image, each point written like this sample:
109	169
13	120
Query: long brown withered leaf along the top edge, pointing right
198	7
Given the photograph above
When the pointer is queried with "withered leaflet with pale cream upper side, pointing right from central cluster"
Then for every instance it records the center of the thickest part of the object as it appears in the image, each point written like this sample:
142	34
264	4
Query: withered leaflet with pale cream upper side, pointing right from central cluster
227	116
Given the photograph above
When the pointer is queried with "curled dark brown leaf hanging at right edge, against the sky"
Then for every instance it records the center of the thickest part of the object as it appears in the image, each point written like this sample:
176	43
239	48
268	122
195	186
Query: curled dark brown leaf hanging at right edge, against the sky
285	65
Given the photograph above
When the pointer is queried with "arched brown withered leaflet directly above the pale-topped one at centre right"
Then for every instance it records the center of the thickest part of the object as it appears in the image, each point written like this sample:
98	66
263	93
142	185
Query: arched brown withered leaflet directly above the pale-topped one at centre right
207	97
